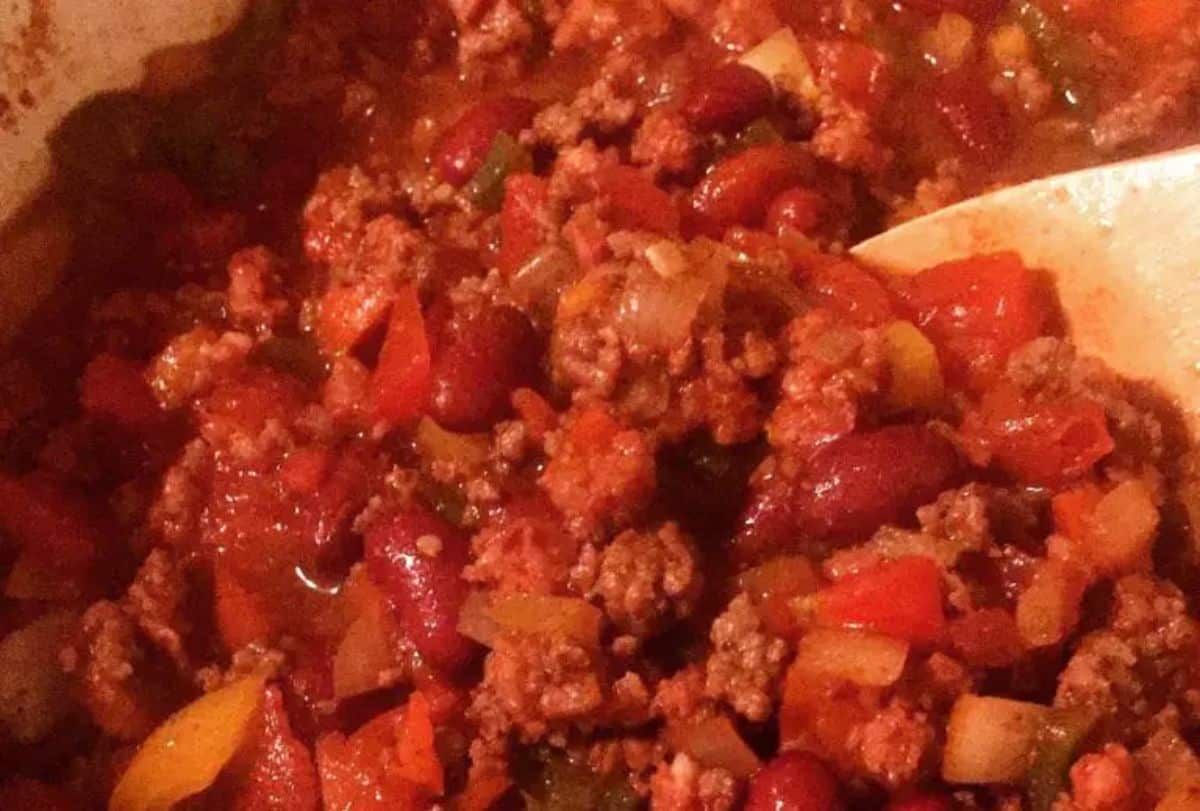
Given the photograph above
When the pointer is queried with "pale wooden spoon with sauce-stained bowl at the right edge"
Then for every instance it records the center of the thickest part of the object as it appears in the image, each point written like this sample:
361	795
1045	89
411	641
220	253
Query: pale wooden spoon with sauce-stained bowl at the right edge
1123	244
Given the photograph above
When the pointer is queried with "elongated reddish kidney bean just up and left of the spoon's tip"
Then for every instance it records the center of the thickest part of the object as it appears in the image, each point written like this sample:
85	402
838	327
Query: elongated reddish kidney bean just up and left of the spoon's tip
740	189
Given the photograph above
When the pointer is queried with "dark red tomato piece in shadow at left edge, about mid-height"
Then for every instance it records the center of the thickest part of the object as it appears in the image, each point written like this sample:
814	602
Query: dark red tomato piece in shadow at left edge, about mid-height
51	525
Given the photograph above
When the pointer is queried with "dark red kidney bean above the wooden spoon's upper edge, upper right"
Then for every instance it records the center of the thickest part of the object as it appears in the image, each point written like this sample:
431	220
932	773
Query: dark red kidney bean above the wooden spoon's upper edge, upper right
975	117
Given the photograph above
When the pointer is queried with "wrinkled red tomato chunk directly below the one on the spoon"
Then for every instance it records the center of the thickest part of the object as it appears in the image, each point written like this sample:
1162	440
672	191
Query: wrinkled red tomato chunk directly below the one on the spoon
1040	443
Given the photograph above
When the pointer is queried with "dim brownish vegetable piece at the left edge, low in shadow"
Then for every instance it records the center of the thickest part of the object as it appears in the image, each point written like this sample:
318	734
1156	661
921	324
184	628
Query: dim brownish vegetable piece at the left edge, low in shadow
35	693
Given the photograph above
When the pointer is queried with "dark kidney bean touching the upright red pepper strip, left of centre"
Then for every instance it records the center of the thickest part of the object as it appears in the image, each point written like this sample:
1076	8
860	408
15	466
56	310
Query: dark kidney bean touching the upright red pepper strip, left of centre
478	362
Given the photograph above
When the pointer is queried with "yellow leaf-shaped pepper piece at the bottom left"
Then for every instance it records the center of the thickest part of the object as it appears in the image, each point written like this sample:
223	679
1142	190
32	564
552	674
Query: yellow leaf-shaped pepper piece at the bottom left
187	754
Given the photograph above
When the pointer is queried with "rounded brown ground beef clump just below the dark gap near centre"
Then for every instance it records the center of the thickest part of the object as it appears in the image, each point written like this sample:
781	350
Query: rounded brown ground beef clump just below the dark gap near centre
650	580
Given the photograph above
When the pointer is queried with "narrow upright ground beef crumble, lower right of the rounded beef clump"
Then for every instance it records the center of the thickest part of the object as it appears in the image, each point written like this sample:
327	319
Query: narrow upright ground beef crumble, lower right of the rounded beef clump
747	663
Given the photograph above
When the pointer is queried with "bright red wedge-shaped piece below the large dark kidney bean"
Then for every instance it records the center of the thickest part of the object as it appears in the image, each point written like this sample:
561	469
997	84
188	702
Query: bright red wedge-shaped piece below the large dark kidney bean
901	599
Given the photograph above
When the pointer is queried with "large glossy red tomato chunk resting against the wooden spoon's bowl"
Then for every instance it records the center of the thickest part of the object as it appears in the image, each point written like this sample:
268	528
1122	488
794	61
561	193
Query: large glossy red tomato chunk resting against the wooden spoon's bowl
977	311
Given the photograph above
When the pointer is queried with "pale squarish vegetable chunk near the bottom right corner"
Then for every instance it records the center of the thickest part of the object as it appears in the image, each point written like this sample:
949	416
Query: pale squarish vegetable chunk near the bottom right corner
991	741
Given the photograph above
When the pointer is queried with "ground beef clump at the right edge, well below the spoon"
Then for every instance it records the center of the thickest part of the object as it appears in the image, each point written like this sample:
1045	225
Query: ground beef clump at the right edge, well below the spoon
1142	663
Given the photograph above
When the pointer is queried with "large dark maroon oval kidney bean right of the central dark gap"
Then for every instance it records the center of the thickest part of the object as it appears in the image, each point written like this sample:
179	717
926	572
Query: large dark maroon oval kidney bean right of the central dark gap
865	480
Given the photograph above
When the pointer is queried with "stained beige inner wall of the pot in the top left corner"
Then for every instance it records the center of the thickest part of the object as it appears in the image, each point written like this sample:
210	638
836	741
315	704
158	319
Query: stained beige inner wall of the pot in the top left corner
53	56
